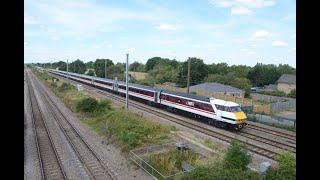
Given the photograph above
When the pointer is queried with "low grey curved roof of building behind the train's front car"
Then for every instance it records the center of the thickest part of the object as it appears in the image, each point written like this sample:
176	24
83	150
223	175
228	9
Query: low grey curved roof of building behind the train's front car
215	87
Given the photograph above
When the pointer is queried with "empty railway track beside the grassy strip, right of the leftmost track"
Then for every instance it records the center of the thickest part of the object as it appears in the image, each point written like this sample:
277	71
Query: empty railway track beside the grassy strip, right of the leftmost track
87	156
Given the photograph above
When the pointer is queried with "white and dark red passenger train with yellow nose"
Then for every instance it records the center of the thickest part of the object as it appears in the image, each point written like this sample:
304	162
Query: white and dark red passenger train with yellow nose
220	113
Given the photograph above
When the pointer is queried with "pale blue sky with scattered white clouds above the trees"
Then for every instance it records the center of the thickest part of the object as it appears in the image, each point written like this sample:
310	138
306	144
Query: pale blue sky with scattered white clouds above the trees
236	32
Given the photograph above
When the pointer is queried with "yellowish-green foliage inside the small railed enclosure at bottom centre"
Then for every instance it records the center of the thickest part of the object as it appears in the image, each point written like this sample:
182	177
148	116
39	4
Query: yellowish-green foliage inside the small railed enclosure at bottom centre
170	162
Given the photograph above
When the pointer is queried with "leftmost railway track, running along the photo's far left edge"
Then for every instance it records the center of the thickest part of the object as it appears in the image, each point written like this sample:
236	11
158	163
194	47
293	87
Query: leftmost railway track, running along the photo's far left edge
50	164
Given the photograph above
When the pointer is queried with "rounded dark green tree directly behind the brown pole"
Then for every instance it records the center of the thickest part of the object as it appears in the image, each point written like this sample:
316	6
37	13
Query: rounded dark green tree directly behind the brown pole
198	71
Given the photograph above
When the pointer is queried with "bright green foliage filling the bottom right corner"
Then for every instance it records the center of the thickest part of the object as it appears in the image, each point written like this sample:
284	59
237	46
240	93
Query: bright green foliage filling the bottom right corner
286	167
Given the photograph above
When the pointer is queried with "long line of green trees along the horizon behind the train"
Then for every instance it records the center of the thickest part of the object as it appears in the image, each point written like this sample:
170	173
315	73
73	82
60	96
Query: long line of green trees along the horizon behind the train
162	70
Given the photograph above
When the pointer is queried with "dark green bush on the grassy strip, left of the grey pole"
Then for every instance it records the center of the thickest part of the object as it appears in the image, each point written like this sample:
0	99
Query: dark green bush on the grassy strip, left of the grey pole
91	105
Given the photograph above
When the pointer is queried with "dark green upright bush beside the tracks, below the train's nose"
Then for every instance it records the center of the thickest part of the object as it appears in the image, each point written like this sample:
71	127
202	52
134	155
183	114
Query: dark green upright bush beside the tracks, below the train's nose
237	156
